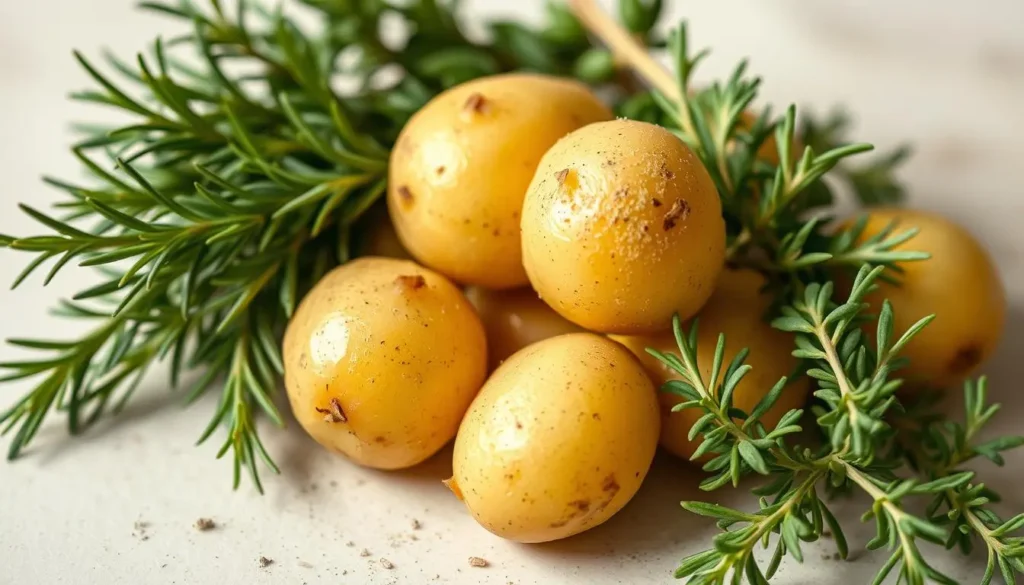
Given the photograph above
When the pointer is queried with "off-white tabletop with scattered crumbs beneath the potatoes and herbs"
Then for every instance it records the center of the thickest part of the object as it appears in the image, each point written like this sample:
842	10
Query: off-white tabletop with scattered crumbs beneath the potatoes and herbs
949	76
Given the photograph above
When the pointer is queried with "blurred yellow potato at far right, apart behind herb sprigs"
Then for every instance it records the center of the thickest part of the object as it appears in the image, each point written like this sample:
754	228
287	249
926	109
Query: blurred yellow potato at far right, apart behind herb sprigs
959	284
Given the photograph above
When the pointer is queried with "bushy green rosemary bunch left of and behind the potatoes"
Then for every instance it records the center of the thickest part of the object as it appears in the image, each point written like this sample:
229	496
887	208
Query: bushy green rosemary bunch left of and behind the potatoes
247	159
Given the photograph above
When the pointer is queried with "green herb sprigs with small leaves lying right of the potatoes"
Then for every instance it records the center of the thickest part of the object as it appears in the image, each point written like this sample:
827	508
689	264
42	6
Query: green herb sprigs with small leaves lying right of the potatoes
765	208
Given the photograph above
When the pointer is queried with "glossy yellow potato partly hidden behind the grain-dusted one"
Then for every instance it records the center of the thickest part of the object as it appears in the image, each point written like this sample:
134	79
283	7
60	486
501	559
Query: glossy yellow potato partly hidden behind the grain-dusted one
461	168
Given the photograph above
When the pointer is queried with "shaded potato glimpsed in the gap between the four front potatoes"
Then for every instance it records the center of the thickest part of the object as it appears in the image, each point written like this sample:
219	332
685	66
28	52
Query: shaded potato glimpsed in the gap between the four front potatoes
515	319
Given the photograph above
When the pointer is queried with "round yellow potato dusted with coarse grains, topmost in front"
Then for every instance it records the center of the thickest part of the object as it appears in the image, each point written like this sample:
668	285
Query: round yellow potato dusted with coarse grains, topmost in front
622	228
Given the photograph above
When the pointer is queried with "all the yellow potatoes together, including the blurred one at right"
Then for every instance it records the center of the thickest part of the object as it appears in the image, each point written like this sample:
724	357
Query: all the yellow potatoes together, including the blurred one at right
539	247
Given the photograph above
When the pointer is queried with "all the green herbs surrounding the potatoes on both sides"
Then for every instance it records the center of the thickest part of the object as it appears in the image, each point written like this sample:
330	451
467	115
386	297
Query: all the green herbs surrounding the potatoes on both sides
251	157
